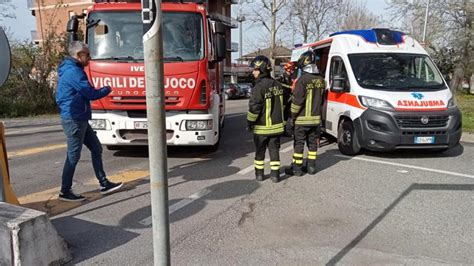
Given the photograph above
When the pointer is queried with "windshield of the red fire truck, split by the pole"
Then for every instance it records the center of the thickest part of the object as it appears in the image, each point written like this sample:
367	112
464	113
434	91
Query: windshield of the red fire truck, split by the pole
117	36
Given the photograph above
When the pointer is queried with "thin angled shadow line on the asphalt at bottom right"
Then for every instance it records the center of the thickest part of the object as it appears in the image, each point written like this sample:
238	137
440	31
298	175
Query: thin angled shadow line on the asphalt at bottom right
374	223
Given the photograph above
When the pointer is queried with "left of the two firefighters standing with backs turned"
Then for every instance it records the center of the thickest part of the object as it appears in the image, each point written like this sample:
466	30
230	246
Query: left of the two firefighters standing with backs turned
265	117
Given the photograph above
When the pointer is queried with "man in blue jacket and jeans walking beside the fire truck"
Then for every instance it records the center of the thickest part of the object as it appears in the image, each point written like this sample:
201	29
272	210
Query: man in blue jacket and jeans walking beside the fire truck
74	93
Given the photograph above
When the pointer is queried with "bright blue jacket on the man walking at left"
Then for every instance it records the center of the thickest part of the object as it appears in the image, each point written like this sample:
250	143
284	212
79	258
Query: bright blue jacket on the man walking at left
74	92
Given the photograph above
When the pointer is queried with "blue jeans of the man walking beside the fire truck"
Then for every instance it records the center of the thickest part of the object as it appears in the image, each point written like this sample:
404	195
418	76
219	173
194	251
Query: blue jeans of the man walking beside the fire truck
78	133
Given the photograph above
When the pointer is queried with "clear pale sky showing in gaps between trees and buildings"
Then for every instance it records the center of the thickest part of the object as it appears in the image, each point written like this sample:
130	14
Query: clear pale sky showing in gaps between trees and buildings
24	23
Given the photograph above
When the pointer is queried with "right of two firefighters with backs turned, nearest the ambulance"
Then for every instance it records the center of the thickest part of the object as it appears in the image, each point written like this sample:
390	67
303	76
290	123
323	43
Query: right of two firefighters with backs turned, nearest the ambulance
306	114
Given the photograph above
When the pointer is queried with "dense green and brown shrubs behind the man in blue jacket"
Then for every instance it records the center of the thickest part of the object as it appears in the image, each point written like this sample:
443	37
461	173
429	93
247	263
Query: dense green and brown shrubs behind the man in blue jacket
31	86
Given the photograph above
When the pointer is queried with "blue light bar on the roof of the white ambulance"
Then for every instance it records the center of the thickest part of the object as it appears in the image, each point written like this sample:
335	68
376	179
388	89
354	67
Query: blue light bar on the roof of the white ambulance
380	36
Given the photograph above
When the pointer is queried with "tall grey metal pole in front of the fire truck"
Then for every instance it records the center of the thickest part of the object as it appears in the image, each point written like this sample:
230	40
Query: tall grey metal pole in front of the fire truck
153	55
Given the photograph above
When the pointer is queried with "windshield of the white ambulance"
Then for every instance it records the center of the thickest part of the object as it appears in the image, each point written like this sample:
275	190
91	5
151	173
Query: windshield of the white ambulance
393	71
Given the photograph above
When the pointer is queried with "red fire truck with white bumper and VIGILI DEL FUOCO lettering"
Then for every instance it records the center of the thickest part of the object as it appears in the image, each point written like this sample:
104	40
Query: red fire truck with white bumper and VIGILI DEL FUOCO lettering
194	47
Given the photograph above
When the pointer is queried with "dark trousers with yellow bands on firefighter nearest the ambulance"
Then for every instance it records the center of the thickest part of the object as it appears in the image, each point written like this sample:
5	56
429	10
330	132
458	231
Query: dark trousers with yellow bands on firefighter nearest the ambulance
305	135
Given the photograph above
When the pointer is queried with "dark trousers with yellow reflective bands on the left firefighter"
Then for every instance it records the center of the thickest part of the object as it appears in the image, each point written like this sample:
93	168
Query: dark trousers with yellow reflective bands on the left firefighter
261	144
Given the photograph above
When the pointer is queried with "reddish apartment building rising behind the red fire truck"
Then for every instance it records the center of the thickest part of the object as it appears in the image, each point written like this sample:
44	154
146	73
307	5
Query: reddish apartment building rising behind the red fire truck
53	15
